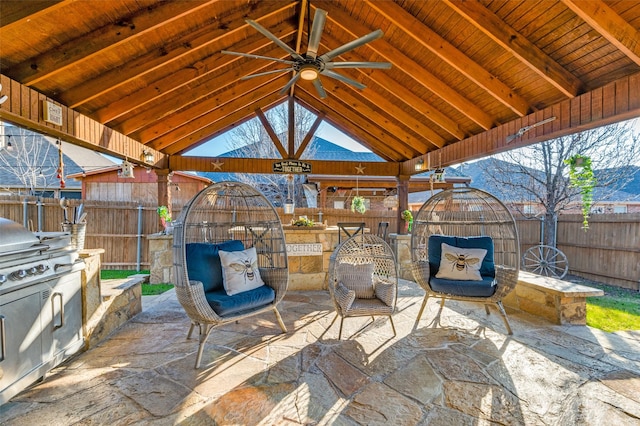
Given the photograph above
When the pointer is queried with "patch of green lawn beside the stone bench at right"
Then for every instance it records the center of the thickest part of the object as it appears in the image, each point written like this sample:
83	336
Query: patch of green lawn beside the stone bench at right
617	310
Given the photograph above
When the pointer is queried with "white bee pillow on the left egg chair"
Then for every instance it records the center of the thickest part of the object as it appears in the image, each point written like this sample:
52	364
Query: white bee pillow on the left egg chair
240	271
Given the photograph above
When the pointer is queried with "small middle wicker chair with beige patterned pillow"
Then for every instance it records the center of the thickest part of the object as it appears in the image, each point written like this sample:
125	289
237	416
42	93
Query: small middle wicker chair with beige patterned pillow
363	279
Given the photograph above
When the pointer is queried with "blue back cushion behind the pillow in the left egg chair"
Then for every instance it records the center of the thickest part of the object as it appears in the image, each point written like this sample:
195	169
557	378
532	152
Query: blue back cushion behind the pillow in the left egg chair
203	262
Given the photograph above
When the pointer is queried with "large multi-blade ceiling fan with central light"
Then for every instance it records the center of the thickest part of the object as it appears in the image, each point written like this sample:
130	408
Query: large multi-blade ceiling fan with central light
310	66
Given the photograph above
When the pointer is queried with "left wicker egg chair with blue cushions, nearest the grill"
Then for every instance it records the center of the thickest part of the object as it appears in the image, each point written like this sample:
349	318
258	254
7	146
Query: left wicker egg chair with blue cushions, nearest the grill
228	217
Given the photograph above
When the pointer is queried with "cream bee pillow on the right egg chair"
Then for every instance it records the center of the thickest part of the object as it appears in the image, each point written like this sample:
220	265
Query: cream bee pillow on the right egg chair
460	263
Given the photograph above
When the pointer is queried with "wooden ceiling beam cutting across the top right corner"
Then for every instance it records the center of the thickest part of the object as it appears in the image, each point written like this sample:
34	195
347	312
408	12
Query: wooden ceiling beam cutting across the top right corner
609	24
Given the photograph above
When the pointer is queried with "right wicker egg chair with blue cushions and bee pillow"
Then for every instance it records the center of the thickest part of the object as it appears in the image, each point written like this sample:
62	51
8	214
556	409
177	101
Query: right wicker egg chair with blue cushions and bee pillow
448	231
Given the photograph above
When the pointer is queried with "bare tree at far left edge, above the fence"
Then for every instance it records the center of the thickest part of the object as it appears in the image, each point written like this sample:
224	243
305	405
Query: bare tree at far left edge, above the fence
27	160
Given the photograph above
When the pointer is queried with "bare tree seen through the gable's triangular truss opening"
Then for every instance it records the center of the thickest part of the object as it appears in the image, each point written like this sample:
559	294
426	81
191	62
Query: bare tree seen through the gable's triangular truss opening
252	140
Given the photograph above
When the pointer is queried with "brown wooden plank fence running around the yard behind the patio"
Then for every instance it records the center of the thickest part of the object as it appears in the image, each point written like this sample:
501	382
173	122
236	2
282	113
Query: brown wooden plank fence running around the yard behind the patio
608	252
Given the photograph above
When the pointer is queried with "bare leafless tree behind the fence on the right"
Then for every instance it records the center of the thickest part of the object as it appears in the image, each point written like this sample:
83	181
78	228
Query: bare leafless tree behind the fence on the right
538	174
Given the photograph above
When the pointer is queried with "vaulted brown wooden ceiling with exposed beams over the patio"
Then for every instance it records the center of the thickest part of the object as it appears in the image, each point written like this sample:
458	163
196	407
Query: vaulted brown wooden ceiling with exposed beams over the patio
465	74
